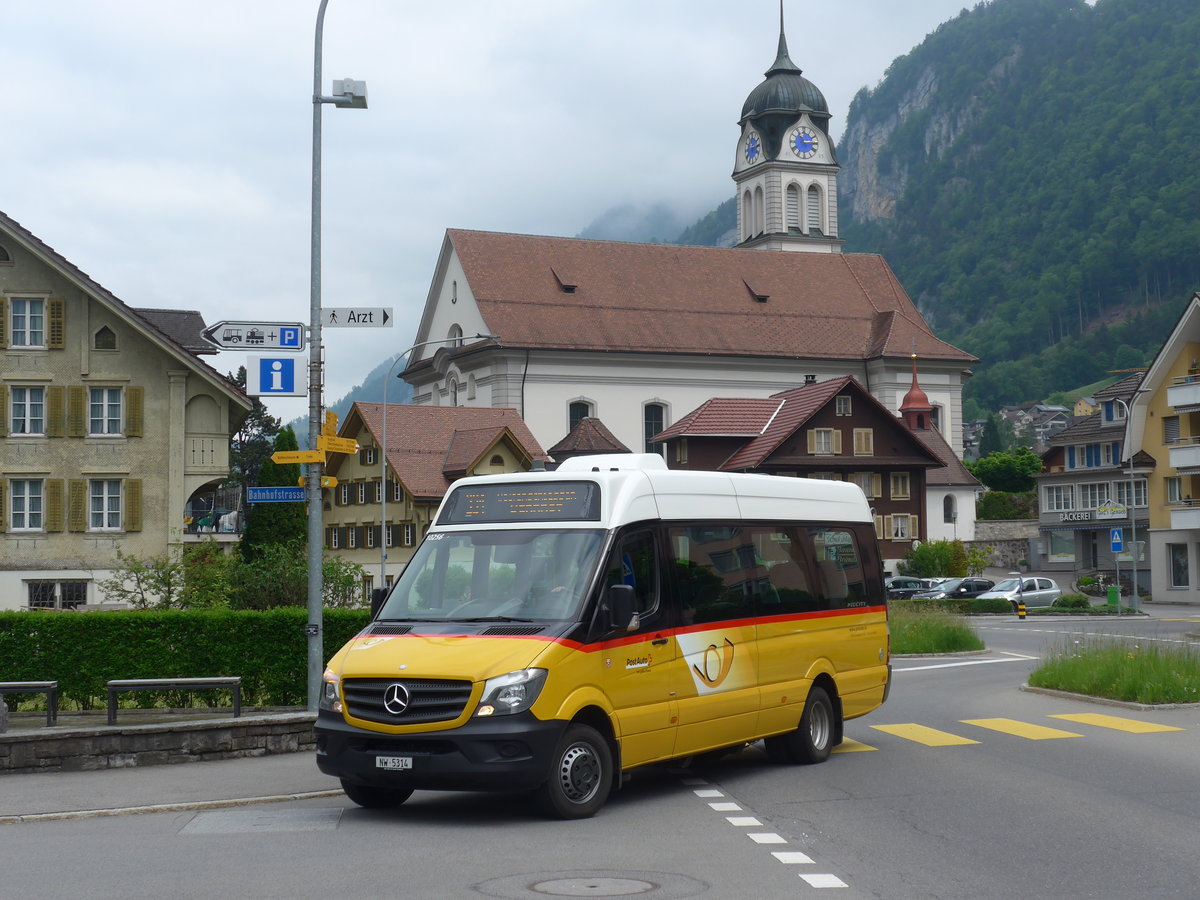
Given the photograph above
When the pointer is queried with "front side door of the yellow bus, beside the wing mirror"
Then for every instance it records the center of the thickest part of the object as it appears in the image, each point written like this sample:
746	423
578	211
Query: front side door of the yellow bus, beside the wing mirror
638	667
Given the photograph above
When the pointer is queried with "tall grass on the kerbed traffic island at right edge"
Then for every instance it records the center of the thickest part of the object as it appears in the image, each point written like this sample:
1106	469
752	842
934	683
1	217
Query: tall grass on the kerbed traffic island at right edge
1137	673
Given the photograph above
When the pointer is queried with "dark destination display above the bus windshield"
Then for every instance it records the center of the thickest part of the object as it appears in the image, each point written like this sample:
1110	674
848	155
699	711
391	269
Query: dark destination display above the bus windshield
549	502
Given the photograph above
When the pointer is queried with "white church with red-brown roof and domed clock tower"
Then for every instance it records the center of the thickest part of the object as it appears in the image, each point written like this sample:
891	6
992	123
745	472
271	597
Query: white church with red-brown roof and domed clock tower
639	335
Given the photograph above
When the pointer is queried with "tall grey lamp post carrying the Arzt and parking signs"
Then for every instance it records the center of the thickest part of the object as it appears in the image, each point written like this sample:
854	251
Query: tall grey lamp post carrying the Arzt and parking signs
352	95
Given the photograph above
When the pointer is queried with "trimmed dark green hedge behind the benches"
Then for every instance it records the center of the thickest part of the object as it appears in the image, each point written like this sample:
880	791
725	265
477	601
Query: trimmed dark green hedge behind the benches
268	649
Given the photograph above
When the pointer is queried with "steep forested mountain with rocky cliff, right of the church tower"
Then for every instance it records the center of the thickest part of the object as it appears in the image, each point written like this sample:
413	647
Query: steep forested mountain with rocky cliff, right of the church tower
1033	173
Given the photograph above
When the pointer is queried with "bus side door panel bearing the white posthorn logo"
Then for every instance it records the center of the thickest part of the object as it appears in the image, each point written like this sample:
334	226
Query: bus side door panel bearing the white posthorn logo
718	578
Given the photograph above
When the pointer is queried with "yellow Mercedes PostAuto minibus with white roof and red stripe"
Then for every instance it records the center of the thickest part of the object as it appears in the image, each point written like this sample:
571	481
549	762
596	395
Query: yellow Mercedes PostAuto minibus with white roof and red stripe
557	629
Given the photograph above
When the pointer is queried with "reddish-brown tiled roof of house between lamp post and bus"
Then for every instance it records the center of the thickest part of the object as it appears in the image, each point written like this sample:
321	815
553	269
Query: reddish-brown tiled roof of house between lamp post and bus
428	447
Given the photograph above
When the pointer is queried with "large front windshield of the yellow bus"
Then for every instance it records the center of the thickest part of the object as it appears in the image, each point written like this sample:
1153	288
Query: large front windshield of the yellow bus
503	575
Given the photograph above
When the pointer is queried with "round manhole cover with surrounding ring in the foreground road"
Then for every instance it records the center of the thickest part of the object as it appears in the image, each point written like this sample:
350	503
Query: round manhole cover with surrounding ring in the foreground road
645	886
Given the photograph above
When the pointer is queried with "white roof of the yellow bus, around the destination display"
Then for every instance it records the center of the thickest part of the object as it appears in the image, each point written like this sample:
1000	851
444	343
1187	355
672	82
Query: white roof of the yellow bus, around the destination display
638	488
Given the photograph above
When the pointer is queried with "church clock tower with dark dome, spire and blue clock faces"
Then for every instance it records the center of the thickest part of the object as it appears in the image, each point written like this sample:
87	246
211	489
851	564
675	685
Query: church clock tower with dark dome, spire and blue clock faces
785	171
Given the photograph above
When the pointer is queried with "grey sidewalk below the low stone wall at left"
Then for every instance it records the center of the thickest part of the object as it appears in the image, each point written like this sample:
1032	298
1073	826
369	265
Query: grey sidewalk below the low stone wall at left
194	785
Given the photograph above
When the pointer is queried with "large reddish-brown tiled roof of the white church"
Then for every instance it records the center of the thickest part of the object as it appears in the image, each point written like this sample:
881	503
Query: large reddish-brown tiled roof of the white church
566	293
